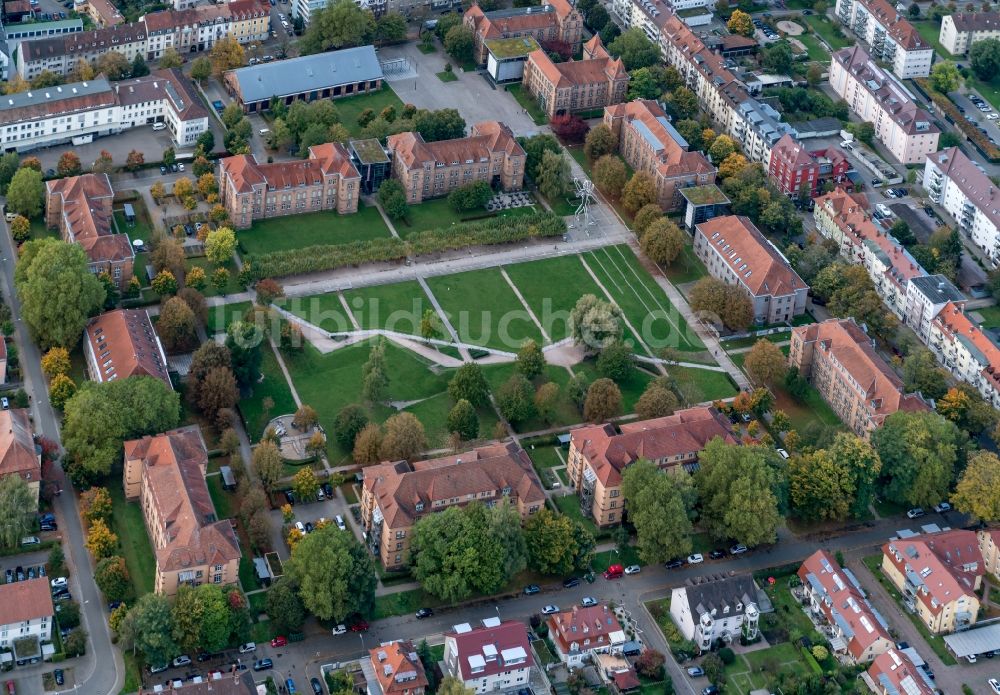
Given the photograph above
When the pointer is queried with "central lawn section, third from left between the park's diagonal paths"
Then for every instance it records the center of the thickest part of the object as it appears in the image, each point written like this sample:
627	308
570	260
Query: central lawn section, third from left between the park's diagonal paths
484	310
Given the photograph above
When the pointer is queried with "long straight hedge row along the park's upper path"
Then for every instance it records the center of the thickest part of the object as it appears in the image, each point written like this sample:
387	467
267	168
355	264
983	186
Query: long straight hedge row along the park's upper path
495	230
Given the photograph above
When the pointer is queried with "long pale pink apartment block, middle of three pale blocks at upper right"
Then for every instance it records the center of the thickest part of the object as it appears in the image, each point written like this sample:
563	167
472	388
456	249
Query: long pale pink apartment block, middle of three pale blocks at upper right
879	98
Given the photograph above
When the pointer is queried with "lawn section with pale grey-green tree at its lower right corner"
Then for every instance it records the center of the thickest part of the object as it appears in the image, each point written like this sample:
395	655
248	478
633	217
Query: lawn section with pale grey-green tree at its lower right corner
551	301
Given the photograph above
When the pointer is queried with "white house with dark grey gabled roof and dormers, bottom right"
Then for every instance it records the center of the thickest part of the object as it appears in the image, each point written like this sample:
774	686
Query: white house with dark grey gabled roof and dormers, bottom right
716	610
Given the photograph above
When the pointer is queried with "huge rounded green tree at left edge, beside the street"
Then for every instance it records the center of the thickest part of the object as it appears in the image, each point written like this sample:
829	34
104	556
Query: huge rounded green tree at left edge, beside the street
57	292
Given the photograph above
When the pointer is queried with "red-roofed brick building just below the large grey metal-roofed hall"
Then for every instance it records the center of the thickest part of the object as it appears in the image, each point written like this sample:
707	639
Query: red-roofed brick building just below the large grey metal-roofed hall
326	180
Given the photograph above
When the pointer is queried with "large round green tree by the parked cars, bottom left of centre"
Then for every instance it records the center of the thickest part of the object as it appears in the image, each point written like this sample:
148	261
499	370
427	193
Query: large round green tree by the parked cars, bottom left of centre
335	575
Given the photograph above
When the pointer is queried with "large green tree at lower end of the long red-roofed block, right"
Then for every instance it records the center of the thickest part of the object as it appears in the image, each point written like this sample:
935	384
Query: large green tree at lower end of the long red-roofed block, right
919	452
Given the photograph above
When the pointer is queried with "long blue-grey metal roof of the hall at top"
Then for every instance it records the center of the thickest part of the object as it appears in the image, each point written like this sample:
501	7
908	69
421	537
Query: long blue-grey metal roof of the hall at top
308	73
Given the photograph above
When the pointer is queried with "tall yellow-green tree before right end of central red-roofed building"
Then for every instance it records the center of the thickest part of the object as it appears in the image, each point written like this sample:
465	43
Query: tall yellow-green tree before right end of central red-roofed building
657	510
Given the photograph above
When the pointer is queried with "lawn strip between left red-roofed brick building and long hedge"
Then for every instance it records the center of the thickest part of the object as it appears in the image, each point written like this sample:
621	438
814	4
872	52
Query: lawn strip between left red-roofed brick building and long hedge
312	229
